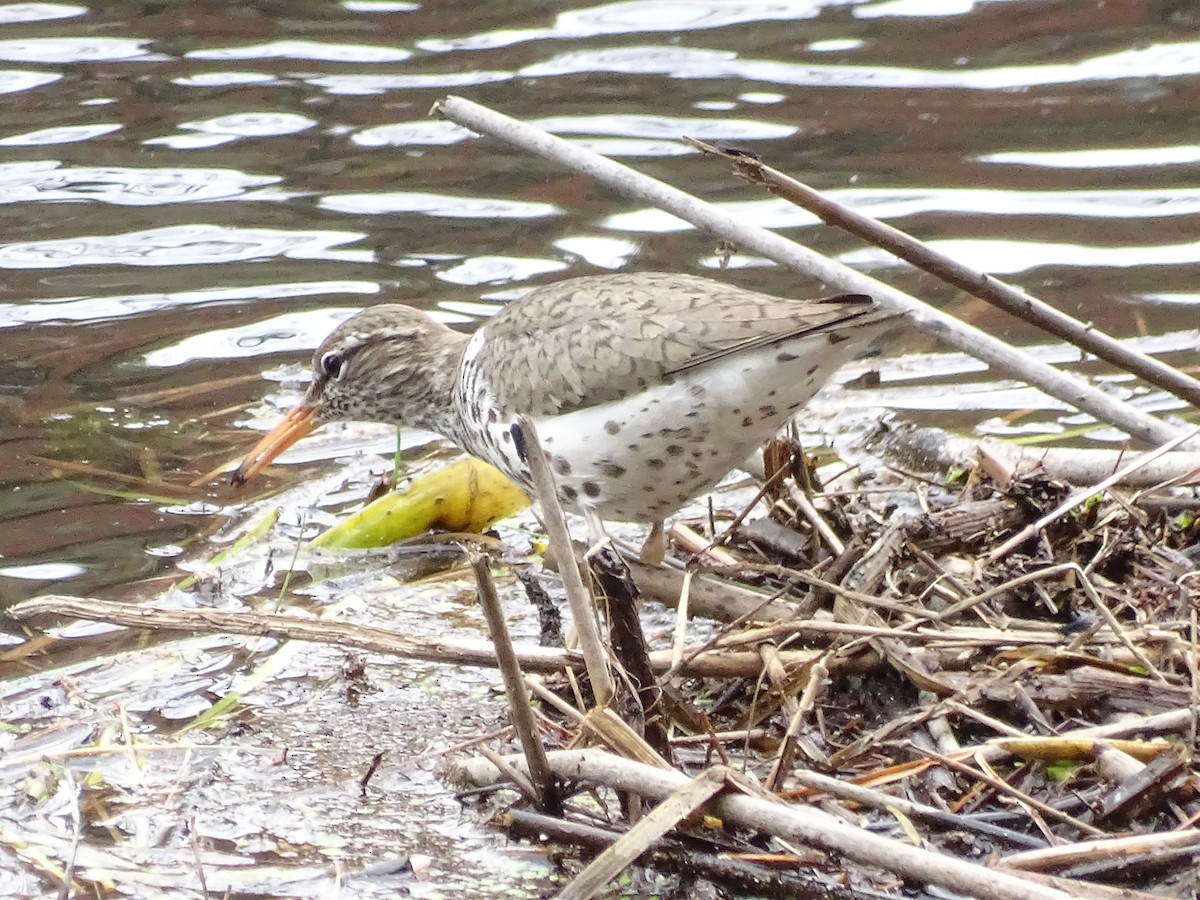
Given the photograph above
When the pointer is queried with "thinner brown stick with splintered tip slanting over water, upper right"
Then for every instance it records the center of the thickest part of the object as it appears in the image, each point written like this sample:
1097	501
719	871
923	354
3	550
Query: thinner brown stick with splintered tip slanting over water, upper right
995	292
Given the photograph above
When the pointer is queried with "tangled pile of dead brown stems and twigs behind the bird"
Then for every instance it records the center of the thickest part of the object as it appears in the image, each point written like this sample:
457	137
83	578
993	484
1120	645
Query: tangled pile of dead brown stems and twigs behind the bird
916	668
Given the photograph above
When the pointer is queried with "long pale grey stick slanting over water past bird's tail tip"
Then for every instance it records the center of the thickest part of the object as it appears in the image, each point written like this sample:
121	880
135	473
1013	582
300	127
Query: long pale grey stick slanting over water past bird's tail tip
1064	386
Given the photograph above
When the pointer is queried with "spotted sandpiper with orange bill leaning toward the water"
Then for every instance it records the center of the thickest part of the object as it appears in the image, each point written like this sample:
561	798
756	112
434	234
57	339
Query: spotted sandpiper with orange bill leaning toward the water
646	389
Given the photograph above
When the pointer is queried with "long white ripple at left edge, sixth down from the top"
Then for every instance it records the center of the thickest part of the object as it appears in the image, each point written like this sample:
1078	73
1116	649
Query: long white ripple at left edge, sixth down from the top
182	245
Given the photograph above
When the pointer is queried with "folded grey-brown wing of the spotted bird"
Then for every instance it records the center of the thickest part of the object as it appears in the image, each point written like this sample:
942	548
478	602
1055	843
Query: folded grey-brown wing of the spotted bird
602	339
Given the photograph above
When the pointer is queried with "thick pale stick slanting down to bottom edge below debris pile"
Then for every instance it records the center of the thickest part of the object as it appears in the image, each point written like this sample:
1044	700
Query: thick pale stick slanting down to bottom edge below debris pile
790	823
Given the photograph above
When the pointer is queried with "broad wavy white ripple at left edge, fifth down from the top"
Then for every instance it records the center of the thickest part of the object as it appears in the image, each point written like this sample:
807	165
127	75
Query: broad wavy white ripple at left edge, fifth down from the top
50	181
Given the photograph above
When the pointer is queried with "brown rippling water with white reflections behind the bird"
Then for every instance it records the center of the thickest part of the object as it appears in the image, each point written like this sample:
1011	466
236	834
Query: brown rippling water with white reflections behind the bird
193	195
